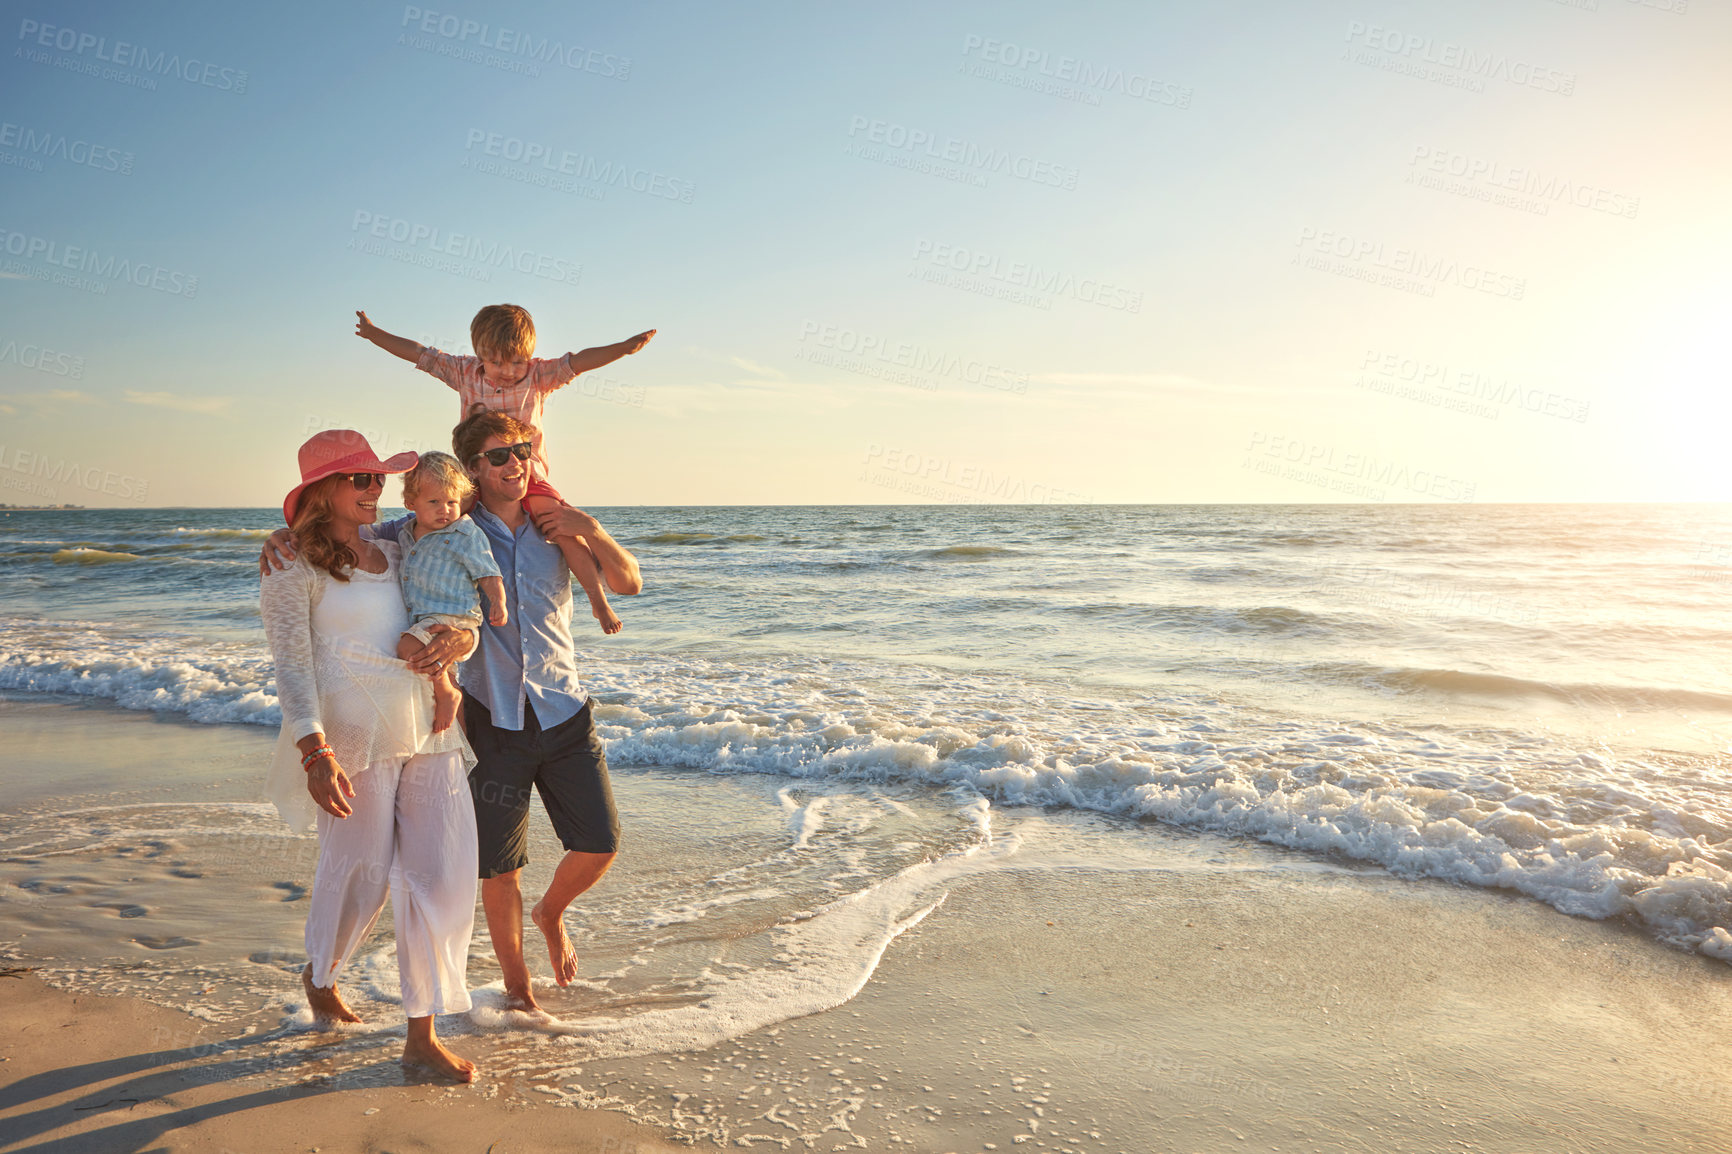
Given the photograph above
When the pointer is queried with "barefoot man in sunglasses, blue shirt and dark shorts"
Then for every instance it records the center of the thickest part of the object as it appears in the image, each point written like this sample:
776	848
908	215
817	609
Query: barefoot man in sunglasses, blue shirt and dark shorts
526	710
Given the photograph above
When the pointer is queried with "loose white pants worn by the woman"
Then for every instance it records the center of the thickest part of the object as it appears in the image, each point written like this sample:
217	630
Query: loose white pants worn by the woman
411	836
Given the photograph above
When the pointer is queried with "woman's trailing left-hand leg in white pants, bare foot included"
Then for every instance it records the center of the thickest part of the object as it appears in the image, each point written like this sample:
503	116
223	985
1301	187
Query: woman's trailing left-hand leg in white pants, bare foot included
351	885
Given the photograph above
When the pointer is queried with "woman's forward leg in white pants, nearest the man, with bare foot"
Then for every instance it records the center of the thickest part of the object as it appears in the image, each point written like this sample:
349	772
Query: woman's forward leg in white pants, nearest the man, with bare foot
434	888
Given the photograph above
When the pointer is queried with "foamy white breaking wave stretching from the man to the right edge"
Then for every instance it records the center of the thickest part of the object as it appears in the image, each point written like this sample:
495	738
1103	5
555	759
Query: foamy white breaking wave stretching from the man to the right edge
1575	829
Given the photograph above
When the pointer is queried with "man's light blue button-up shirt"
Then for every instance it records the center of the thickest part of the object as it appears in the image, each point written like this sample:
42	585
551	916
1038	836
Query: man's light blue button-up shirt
533	656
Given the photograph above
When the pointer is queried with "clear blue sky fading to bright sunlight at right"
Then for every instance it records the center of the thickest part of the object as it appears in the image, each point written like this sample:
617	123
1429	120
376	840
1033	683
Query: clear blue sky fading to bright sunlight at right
1118	252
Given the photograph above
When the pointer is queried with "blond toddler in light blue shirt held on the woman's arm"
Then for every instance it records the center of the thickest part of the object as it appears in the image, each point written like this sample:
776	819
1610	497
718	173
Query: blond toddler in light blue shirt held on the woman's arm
446	561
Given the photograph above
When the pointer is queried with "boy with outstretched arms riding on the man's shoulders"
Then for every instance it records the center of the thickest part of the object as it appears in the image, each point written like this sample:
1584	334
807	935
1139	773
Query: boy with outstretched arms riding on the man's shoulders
505	375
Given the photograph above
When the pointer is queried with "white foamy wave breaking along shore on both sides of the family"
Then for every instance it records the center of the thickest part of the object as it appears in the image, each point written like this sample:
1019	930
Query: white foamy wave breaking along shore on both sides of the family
1577	829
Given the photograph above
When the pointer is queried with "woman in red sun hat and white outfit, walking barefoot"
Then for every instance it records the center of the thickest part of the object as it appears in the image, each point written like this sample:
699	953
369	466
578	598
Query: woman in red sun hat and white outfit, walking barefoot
392	798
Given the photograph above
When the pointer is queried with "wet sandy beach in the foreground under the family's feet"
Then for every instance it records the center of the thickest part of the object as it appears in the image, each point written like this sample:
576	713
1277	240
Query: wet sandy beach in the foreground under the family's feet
1196	994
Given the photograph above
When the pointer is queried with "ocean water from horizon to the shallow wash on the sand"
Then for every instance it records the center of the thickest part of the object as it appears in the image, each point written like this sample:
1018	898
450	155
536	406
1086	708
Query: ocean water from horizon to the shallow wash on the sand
876	703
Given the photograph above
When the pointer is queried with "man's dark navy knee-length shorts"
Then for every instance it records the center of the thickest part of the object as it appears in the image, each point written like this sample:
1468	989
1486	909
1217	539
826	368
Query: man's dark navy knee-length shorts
565	765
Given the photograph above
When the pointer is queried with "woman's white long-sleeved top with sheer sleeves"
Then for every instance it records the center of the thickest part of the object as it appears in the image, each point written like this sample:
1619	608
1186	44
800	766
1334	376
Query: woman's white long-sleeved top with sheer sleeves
335	645
